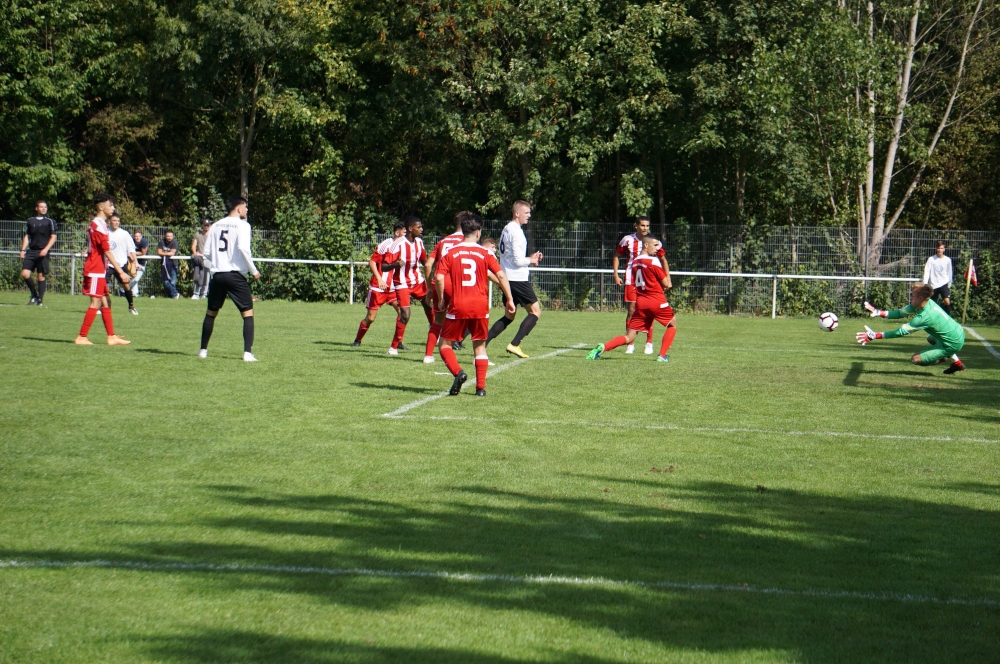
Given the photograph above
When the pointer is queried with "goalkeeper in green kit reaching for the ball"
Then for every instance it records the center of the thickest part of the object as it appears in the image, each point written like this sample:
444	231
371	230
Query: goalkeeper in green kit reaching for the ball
946	336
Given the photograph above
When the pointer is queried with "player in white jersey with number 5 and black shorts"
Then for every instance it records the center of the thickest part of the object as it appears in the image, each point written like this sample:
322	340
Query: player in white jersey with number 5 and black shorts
227	255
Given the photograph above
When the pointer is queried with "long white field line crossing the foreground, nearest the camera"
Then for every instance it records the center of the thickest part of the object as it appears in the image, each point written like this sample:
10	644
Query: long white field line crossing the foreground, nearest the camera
489	578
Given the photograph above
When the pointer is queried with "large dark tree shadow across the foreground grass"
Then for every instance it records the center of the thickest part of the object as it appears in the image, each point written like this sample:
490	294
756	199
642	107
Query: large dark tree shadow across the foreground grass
819	577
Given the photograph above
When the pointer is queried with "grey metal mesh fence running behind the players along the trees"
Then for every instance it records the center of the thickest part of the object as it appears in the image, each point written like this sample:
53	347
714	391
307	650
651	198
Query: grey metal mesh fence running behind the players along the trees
773	270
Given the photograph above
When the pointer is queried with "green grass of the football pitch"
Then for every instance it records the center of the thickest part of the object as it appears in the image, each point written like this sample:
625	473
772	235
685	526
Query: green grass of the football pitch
149	454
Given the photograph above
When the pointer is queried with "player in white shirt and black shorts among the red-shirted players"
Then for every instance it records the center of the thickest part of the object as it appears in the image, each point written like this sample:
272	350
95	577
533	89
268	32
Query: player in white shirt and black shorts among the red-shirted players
515	263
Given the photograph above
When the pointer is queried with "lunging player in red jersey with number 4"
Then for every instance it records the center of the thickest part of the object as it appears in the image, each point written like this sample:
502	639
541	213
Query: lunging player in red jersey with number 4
651	281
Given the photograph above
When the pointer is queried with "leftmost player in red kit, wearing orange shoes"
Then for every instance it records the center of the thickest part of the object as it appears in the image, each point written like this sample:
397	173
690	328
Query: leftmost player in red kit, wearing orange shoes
95	270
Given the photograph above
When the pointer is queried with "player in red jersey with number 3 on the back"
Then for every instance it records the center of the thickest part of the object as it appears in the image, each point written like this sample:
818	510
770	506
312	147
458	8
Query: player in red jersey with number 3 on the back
467	266
